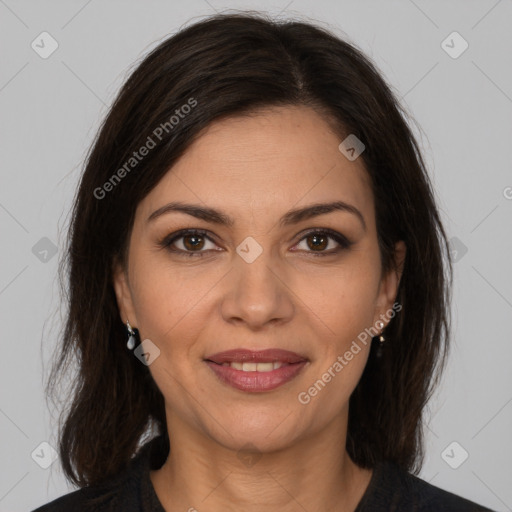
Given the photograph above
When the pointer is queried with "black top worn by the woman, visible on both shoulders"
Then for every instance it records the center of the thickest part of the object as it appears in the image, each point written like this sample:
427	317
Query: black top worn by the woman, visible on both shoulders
391	489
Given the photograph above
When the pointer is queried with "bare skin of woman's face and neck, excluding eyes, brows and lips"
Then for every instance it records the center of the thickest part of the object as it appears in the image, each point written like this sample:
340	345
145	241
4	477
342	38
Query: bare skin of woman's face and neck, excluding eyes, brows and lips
255	169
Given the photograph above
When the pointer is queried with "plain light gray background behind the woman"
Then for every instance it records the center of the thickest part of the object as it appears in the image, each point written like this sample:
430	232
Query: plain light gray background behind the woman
51	109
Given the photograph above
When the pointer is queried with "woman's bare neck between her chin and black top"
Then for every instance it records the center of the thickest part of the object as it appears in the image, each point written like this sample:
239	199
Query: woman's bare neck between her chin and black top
312	474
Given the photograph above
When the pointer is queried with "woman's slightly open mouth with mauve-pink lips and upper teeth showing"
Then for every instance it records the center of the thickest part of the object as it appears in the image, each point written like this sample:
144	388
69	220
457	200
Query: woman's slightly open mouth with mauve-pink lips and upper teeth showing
255	371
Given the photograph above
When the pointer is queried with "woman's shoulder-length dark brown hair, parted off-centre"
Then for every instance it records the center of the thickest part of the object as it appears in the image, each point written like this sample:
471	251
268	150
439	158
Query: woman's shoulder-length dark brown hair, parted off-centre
235	64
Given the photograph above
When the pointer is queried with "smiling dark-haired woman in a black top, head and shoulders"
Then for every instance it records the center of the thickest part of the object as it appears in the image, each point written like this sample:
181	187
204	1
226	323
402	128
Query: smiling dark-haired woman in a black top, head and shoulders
258	280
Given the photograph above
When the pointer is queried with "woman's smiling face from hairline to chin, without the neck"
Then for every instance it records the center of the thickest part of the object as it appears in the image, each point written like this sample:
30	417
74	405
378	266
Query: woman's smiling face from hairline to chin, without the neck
258	283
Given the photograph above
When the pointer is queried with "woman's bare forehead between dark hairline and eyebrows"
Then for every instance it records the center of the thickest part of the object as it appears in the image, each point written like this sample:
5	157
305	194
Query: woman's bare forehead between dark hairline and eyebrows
265	162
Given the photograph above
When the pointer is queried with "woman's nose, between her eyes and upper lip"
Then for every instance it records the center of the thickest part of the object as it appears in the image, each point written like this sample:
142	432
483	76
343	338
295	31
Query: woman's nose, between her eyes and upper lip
259	293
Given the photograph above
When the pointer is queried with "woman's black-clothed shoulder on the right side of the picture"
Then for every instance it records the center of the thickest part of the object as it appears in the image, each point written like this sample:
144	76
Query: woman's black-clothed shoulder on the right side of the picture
395	490
